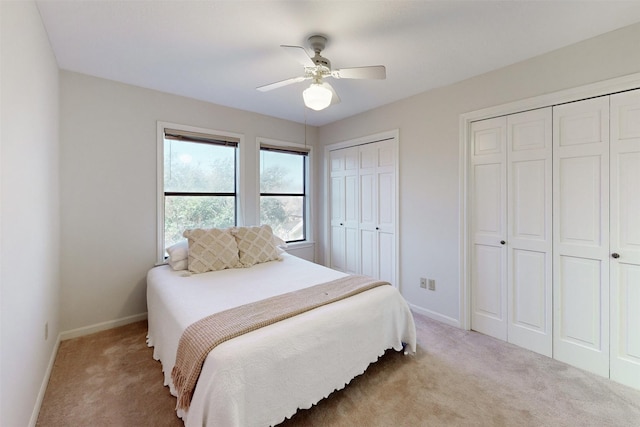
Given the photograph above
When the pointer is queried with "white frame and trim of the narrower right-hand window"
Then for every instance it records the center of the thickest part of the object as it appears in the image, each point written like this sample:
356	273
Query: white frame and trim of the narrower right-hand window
284	146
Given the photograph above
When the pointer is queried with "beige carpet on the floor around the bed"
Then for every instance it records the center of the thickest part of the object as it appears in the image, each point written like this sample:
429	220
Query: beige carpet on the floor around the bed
457	378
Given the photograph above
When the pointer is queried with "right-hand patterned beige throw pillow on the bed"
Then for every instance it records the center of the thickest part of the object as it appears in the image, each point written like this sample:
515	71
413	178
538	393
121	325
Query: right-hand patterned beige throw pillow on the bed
255	245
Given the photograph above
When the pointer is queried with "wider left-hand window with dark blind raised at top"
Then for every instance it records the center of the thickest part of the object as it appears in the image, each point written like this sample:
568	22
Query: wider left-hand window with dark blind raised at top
199	182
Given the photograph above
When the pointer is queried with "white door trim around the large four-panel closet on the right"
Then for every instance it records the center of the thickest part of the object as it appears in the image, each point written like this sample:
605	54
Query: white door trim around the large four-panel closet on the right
605	87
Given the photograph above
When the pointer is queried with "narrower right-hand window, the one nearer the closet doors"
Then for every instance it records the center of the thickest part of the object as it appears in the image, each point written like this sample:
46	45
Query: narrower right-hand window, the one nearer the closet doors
283	190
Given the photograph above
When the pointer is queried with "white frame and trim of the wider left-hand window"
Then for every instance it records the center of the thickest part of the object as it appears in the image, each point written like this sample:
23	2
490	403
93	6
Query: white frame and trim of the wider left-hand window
160	192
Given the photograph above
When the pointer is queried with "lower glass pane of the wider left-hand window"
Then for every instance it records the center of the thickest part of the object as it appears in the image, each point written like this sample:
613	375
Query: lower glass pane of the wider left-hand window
183	212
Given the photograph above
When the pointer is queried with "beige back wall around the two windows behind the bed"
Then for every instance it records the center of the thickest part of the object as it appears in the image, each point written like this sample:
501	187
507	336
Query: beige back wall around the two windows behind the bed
108	181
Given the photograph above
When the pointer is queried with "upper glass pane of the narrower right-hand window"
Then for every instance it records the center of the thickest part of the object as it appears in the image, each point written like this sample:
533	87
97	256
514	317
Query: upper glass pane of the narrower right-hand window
281	172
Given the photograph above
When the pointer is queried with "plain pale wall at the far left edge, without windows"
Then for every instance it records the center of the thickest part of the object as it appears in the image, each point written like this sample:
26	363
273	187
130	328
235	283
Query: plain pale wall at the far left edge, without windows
29	211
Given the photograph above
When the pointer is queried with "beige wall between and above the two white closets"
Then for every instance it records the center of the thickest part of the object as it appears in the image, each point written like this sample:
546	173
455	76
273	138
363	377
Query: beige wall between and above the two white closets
430	155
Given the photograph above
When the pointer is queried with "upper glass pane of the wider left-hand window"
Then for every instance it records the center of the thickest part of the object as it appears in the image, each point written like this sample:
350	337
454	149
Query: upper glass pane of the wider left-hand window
195	167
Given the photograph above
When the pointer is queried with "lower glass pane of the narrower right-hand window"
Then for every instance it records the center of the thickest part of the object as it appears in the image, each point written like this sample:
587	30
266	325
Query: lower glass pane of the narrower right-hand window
284	215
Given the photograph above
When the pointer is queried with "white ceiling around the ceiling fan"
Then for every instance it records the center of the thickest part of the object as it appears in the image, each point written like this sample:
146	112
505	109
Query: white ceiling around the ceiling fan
220	51
